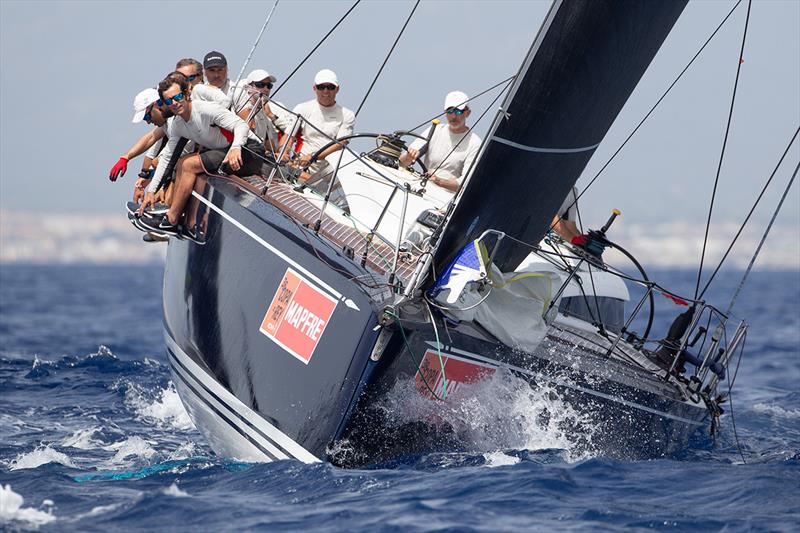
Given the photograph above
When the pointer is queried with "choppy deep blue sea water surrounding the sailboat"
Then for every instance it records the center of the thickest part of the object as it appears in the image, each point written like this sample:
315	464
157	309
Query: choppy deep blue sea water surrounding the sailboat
93	437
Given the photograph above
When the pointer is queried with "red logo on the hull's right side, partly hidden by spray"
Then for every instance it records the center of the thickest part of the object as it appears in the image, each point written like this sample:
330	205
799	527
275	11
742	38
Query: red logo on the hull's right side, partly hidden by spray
457	371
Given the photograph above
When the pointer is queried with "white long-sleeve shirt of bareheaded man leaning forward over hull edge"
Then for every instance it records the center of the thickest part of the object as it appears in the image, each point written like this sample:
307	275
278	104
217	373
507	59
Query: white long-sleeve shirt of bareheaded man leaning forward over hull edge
201	129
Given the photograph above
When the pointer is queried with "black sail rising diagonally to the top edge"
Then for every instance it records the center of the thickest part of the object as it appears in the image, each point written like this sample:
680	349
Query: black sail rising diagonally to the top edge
580	71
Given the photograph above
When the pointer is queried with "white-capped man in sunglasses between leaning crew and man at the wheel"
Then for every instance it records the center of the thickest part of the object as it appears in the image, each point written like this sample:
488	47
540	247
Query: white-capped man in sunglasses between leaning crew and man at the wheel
268	122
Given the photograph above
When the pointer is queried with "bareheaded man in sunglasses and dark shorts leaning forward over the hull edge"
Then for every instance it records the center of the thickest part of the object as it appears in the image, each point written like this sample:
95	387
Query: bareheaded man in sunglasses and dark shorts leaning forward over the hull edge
218	130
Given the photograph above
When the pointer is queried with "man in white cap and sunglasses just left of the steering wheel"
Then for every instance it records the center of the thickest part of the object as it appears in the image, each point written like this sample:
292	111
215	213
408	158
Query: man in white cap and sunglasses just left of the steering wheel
326	115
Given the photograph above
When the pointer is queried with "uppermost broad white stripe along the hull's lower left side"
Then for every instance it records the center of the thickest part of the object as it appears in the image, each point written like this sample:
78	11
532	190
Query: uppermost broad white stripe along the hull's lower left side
252	423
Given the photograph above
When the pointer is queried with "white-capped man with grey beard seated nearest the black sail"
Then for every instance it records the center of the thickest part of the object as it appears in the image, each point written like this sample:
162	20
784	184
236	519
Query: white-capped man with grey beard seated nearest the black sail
452	148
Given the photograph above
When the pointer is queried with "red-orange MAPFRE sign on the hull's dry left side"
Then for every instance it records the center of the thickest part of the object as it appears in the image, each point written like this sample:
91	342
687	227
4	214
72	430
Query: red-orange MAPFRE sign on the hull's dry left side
297	316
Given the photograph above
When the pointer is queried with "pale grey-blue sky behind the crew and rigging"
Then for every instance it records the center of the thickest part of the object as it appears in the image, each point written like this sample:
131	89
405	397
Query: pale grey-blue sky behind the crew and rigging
70	71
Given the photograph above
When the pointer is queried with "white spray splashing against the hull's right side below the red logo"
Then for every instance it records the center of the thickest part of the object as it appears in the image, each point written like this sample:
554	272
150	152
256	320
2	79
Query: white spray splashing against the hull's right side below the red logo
501	412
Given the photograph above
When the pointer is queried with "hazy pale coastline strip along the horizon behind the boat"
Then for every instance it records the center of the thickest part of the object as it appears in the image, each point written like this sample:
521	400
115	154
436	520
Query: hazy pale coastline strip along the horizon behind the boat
33	238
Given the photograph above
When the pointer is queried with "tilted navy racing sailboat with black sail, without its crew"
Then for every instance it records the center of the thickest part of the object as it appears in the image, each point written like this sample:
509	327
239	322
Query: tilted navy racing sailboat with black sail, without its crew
293	321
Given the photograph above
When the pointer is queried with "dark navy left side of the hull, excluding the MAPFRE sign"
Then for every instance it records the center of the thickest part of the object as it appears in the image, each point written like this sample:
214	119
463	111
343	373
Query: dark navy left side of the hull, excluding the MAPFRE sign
216	296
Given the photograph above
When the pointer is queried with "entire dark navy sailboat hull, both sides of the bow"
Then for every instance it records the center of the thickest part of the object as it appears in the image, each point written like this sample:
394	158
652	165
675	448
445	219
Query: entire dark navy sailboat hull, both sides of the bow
257	396
